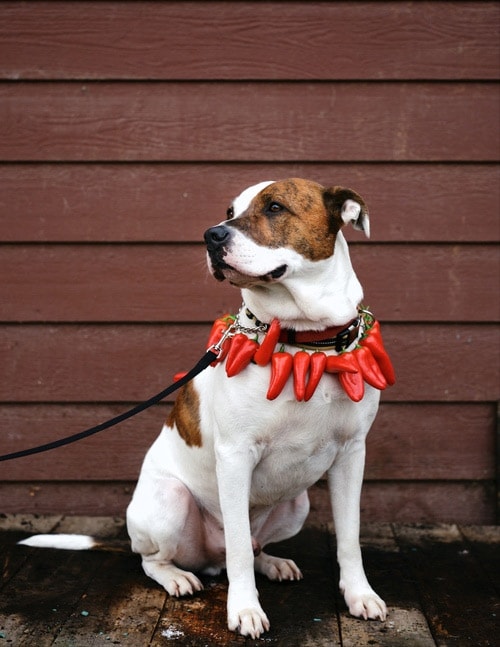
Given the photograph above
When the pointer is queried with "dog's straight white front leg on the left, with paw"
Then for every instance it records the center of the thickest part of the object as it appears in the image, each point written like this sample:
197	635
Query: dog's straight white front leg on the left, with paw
234	473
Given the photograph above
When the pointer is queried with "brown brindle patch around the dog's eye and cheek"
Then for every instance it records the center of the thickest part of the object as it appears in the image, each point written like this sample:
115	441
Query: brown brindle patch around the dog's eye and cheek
304	223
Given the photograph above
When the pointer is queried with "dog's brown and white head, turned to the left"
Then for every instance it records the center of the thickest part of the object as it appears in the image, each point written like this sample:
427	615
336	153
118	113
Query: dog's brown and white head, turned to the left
275	229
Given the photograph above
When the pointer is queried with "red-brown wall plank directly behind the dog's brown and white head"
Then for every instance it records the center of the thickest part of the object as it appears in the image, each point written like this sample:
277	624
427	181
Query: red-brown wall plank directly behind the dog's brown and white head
177	202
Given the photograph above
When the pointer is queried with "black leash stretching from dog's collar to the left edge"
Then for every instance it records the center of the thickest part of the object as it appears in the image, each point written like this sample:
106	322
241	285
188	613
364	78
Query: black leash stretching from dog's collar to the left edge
205	361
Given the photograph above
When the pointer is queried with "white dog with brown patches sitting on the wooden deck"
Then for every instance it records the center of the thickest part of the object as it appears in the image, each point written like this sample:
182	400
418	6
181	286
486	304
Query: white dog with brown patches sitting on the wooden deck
230	470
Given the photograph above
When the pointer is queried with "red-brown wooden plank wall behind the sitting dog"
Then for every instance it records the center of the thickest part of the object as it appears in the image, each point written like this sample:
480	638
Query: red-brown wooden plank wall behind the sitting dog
126	128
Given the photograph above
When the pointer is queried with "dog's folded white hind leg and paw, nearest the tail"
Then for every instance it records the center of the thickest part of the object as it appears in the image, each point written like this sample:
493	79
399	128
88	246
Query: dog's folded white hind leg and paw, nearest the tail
166	528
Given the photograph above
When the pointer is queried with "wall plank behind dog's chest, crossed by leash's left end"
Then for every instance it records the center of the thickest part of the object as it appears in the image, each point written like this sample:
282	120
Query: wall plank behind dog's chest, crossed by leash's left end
461	436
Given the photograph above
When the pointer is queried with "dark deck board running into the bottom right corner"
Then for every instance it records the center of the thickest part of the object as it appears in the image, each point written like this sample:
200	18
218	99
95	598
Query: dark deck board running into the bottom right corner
433	558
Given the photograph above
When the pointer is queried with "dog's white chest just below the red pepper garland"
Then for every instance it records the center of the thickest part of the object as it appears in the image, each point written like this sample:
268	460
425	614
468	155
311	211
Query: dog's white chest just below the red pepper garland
291	443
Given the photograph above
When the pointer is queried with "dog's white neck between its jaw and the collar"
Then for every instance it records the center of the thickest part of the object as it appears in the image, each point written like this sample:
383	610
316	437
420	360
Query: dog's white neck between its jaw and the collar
328	294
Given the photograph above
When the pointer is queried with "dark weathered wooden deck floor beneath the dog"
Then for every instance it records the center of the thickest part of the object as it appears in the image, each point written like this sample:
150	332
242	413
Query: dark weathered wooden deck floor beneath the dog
440	583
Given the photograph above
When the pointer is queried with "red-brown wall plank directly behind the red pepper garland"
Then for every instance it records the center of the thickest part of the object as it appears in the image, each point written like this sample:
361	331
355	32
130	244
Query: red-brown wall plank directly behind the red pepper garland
129	363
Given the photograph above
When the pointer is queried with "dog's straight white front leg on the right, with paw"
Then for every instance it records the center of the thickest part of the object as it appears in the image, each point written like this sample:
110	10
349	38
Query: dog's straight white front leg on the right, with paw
345	479
